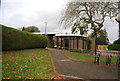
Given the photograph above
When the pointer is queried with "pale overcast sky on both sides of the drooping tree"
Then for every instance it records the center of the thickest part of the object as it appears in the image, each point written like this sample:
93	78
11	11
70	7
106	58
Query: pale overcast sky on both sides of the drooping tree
19	13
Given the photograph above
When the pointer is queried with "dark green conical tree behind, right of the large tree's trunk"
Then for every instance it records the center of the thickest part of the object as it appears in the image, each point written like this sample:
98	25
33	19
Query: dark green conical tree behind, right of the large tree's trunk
102	38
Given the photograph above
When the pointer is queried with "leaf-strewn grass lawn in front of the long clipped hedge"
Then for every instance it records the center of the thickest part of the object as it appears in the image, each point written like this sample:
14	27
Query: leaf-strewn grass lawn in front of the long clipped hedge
27	64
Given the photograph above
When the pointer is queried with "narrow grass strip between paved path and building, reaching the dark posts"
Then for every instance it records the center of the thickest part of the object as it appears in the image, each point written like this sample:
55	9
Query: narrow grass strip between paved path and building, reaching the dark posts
87	57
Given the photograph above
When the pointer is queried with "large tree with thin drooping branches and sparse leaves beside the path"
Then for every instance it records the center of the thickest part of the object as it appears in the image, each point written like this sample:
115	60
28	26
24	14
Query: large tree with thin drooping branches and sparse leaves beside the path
88	15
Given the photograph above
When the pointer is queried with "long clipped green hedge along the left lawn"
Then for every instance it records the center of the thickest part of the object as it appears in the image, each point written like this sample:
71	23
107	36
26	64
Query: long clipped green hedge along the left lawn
13	39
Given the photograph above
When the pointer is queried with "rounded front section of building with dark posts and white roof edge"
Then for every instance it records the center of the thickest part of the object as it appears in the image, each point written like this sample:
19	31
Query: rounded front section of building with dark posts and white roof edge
70	41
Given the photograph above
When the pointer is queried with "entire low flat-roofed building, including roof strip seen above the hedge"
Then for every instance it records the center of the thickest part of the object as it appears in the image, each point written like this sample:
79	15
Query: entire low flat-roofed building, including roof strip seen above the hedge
69	41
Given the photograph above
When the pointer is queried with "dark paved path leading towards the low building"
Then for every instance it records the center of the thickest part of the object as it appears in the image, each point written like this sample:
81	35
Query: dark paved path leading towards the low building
84	70
